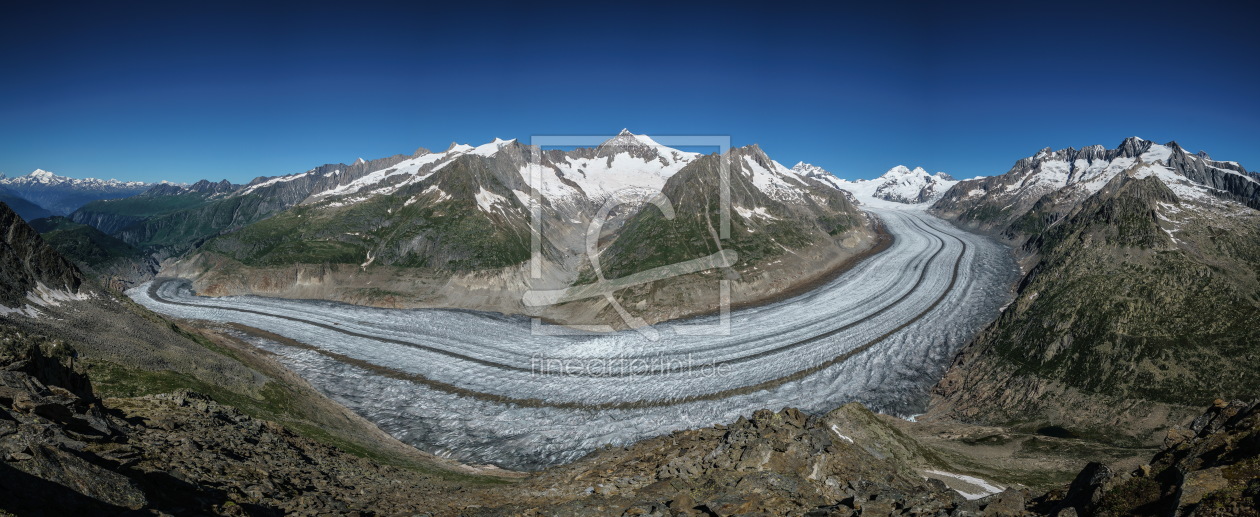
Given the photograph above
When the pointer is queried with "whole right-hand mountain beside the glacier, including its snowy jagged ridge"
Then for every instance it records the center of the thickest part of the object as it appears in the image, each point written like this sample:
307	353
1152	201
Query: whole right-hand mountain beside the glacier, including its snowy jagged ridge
1136	307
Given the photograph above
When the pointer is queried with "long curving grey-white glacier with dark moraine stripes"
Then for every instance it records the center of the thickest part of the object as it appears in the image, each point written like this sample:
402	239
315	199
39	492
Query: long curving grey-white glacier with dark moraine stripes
486	389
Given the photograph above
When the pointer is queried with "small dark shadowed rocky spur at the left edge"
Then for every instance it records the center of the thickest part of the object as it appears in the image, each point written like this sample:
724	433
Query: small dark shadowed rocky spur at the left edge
27	262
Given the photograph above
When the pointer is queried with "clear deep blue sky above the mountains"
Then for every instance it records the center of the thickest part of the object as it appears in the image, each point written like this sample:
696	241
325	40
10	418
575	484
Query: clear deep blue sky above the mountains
185	91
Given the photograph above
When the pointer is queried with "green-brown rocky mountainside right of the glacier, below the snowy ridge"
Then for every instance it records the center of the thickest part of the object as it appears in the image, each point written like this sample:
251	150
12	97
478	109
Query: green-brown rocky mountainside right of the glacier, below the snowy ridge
1137	296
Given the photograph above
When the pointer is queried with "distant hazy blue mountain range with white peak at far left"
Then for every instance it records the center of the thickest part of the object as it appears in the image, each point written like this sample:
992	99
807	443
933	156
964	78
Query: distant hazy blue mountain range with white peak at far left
47	194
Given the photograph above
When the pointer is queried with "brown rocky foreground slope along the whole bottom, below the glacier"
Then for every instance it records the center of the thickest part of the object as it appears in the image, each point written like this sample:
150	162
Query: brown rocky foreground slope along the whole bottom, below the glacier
66	451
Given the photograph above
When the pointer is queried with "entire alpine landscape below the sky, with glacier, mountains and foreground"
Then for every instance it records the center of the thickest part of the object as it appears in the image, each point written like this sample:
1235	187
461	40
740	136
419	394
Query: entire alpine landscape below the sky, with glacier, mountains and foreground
637	330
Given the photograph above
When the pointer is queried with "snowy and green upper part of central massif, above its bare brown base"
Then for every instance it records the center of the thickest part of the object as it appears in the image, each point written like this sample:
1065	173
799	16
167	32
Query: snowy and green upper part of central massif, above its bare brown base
495	185
